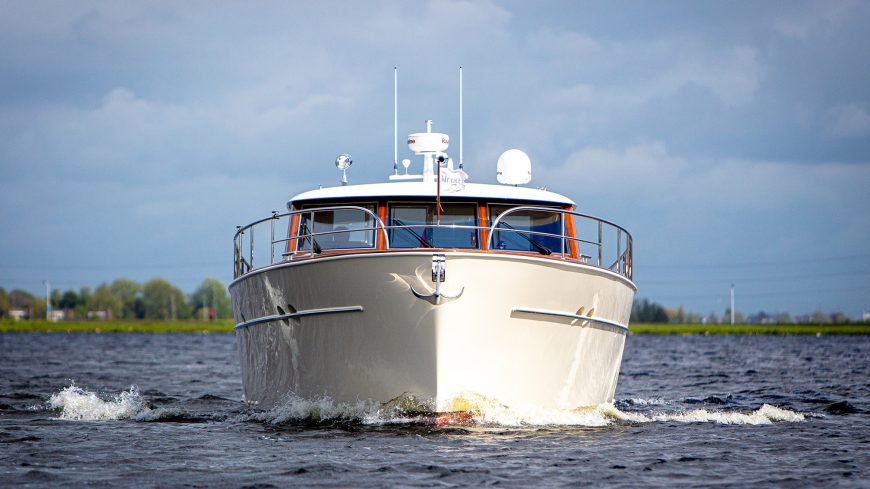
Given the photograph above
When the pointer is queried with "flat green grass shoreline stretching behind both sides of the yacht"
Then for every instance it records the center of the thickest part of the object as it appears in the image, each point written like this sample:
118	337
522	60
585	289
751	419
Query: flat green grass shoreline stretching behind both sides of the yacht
226	326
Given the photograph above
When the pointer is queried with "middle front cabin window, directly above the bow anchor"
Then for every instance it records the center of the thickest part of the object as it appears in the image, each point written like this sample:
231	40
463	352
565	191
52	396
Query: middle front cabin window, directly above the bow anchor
413	226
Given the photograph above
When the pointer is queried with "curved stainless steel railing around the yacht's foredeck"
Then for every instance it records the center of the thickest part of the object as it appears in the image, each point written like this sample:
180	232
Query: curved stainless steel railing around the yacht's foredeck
243	260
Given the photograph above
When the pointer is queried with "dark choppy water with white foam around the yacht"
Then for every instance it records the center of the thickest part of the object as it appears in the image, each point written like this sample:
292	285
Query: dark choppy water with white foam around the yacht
690	411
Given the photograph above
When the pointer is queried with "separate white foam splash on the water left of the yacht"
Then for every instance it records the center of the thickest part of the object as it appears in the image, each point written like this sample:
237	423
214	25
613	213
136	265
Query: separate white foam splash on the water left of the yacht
76	403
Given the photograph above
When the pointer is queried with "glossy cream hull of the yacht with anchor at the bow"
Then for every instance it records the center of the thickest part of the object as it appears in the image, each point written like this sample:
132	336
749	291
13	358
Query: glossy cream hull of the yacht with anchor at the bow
399	344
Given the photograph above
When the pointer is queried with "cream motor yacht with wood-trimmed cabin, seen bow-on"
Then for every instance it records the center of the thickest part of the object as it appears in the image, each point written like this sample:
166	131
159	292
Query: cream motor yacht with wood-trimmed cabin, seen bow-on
433	288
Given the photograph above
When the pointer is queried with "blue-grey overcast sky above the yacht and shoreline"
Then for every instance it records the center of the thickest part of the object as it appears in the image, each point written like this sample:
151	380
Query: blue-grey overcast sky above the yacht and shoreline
732	139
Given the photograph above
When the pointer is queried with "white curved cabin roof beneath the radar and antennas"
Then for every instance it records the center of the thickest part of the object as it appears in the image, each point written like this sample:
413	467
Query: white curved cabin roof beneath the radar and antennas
420	189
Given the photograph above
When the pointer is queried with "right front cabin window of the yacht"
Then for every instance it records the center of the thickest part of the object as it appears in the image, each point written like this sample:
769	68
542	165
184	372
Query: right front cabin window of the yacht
510	234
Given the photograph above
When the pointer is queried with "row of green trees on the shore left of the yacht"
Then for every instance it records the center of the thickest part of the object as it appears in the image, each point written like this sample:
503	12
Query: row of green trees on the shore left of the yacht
125	299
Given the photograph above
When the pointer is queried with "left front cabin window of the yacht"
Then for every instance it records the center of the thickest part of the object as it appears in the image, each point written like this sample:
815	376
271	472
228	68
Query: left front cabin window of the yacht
338	229
